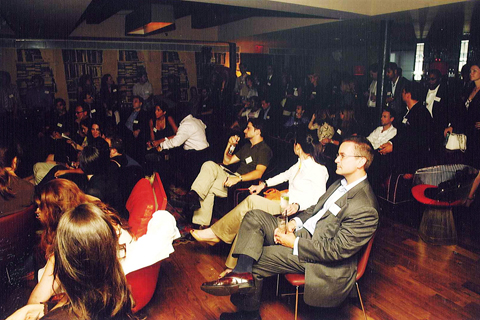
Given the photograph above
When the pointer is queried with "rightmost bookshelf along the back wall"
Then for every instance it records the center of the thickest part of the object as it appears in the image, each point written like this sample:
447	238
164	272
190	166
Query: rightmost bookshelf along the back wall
172	66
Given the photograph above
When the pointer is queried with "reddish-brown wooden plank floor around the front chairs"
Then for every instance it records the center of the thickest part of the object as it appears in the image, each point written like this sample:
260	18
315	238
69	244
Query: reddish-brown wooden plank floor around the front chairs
405	279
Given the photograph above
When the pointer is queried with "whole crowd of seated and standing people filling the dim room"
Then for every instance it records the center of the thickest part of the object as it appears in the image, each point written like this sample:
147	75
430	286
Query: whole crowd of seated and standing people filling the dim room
84	162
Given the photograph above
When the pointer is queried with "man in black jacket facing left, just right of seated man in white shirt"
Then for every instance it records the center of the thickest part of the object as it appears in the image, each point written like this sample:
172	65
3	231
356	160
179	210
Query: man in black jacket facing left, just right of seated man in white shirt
411	145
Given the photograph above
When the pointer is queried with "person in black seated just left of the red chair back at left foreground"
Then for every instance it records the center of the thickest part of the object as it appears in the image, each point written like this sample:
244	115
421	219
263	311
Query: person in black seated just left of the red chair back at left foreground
103	179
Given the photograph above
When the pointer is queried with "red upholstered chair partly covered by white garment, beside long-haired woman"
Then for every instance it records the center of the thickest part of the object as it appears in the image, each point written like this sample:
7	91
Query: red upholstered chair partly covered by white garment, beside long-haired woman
146	198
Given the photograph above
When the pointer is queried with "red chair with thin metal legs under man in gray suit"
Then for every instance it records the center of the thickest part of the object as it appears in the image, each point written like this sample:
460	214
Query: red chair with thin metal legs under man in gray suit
298	280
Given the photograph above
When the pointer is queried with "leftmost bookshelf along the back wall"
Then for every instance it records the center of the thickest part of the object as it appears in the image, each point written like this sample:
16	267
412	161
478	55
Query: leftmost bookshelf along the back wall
29	64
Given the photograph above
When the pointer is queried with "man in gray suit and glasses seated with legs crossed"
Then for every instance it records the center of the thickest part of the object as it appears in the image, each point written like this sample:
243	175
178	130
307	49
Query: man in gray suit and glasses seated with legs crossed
321	241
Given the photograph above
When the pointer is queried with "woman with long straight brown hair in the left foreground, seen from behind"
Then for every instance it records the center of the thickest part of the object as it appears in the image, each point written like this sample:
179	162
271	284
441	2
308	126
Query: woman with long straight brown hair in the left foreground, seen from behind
86	268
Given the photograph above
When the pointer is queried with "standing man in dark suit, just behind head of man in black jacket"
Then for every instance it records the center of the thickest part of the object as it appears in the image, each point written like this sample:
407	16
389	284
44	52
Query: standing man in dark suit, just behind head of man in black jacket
394	91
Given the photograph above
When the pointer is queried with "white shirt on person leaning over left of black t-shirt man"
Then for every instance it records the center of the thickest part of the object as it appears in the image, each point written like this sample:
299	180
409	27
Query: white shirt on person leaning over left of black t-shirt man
190	133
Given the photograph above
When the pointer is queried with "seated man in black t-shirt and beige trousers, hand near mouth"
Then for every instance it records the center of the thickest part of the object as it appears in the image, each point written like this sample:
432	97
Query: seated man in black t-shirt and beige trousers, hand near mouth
213	180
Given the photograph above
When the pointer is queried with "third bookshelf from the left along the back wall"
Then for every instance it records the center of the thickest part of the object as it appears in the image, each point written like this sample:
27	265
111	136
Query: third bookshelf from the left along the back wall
128	67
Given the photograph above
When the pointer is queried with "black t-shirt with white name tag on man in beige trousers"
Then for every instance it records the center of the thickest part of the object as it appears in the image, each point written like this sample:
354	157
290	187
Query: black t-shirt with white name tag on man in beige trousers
251	156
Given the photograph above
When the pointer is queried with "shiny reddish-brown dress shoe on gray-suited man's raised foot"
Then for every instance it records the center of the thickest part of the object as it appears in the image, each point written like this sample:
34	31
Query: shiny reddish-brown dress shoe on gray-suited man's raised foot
230	284
